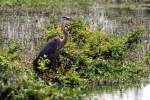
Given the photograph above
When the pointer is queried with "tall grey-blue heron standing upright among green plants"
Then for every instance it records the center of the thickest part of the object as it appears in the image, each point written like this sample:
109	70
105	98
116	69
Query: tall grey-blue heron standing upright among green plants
54	46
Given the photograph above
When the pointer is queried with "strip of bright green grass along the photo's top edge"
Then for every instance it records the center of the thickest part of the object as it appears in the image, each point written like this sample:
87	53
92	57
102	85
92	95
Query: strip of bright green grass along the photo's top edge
28	4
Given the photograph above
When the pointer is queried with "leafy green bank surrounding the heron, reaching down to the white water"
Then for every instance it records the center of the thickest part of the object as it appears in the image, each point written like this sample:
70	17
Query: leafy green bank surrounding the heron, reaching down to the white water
94	58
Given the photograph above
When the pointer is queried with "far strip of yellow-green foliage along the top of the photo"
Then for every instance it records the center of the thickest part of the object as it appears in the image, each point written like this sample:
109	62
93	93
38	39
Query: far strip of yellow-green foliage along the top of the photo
39	3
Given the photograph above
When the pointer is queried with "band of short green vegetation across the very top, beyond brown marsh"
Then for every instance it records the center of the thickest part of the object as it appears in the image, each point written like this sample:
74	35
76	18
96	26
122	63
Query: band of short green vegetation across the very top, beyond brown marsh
36	3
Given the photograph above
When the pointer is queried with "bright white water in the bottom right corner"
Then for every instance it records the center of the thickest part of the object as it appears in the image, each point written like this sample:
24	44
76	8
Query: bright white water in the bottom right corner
129	94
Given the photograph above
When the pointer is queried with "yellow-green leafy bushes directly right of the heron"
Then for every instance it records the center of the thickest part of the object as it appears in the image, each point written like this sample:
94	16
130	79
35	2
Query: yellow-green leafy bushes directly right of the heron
98	54
